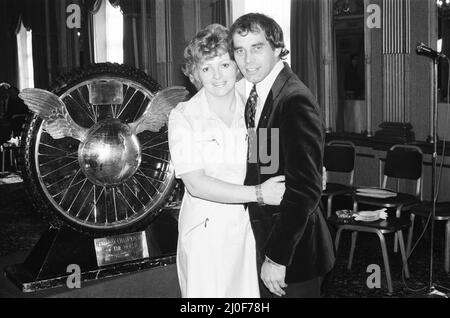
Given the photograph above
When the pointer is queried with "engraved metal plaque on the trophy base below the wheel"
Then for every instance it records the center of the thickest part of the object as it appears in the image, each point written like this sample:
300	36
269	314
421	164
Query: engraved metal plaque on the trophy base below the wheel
121	248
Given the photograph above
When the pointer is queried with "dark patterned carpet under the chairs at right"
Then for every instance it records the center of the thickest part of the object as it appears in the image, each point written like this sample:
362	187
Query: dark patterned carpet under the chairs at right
353	283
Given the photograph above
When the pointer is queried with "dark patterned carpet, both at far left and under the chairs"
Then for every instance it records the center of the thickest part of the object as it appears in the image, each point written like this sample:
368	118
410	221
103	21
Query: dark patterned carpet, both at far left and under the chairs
21	228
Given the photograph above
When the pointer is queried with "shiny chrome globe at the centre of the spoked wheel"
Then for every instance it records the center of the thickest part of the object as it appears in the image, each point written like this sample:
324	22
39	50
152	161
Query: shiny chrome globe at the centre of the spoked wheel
110	154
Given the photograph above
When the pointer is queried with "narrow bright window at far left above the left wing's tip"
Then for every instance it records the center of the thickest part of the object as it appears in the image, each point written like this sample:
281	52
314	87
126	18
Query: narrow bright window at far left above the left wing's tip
25	57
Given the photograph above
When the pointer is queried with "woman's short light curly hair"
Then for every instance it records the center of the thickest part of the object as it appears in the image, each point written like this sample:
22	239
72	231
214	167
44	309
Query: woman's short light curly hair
208	43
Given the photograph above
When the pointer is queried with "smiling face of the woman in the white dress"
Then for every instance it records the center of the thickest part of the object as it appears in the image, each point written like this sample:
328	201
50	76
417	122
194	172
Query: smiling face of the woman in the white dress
217	75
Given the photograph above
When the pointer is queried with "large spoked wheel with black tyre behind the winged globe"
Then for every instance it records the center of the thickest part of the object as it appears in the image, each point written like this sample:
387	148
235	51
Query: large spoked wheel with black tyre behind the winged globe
113	181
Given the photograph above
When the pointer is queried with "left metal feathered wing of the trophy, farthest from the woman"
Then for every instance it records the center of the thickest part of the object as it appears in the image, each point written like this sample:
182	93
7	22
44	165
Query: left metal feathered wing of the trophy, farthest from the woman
52	109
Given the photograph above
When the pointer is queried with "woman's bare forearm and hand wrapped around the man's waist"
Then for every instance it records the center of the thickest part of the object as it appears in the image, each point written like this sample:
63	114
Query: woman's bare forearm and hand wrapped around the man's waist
208	188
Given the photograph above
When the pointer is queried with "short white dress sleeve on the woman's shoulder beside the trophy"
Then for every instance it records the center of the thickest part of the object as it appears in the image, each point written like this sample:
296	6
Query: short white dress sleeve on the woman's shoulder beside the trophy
185	152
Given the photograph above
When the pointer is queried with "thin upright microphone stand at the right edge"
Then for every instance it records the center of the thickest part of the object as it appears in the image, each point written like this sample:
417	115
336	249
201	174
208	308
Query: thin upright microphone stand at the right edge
433	292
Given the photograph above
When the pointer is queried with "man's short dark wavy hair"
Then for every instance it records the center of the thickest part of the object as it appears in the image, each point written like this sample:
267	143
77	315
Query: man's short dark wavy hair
255	22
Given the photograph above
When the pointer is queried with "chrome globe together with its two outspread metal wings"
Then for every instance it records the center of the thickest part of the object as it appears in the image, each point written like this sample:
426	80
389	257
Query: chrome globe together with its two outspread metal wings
109	152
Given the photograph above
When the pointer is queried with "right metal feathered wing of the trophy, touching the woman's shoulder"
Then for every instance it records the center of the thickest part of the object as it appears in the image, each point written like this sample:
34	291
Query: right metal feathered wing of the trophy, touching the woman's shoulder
157	113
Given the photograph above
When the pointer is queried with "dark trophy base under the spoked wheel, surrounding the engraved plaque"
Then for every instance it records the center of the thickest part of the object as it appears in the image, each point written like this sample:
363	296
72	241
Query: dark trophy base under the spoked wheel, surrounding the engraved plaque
47	265
